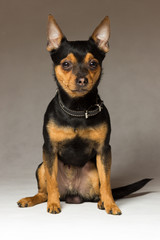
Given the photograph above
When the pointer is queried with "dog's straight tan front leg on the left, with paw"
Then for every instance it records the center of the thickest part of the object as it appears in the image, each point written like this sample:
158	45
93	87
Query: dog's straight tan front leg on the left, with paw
51	168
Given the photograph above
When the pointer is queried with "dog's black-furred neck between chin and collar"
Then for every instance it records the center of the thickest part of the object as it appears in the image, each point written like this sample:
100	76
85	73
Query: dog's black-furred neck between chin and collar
80	103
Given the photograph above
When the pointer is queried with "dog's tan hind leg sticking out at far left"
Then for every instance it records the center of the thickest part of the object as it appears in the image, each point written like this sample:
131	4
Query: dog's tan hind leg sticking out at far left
41	196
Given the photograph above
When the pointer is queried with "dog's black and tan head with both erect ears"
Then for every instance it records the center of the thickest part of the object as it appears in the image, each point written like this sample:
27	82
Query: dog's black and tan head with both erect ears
77	64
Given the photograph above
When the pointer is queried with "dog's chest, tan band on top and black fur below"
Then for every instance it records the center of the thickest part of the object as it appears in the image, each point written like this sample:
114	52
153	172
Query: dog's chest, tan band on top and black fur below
76	146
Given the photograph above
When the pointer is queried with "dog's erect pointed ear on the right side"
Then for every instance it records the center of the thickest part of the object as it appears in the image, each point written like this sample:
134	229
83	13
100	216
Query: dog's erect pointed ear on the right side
101	35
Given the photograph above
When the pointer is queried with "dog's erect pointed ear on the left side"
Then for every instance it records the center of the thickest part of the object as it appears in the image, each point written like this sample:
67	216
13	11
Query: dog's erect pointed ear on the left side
54	34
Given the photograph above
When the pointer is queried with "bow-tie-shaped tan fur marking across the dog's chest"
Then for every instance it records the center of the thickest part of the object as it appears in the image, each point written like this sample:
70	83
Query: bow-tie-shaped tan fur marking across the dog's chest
60	133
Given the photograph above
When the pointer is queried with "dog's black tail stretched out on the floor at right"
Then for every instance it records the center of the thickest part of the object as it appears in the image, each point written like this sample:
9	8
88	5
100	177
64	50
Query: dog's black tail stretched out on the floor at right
126	190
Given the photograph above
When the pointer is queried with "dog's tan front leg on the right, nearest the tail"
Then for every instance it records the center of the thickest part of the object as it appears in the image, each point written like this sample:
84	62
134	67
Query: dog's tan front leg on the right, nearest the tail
104	167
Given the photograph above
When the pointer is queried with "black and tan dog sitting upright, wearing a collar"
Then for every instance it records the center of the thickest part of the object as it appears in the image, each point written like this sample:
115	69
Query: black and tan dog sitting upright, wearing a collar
76	151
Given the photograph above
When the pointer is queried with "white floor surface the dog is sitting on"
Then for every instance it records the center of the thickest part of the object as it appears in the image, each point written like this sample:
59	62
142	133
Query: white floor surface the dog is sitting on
140	218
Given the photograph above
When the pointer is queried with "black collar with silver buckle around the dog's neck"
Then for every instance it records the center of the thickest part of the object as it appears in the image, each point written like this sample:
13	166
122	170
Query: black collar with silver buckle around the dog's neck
96	108
